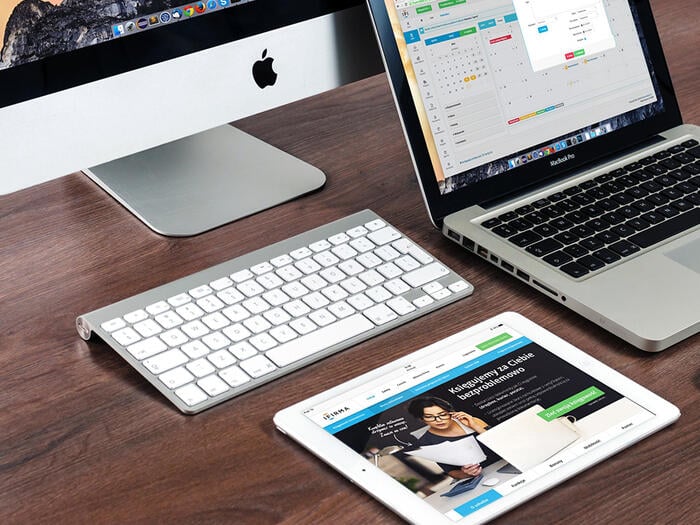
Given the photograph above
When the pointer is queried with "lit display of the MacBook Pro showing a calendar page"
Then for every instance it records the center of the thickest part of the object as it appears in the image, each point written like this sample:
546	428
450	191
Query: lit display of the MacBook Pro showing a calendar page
498	86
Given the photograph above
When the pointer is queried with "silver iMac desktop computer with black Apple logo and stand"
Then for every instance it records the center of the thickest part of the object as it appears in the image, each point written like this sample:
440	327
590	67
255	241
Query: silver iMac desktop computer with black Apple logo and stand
138	94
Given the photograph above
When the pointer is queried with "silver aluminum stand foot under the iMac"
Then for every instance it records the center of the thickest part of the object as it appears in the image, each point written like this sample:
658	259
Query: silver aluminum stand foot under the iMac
200	182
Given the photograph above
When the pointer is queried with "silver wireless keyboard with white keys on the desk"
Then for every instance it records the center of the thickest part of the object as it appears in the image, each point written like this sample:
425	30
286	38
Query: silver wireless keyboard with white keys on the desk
218	333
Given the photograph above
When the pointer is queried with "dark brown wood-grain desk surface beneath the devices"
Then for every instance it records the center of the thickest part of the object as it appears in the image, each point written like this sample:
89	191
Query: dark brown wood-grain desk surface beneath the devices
84	439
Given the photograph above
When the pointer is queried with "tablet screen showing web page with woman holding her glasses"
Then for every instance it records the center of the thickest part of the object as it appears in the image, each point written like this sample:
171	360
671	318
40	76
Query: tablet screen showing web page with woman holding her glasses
477	420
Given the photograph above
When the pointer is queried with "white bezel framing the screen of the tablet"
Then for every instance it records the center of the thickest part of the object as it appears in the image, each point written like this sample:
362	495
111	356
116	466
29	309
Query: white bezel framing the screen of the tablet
292	422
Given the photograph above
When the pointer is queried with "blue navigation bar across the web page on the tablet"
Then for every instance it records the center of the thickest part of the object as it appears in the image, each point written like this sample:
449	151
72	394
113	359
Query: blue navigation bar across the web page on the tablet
420	388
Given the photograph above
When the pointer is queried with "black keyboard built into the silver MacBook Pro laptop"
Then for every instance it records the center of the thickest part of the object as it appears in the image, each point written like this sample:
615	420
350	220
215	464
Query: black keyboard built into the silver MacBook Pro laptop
600	221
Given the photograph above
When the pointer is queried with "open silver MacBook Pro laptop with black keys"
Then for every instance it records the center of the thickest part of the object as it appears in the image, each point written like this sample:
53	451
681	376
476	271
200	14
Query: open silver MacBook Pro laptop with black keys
547	139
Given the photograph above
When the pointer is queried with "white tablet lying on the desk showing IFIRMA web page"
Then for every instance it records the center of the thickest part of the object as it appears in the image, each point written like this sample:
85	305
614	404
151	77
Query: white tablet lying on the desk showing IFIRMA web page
540	409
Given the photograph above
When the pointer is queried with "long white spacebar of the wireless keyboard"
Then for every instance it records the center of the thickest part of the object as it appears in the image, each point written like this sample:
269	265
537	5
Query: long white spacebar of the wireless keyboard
321	339
